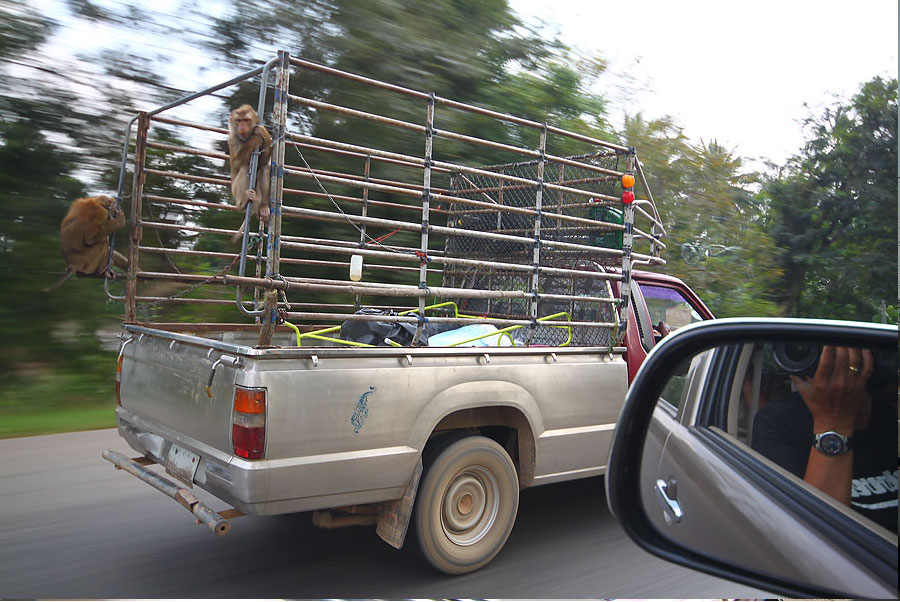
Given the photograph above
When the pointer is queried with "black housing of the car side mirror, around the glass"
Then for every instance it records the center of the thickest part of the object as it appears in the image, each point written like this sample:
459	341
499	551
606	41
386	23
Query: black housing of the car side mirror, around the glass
623	477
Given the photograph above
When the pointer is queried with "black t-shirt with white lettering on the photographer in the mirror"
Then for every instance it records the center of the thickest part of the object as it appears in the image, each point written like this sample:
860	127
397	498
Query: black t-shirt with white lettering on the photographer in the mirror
783	432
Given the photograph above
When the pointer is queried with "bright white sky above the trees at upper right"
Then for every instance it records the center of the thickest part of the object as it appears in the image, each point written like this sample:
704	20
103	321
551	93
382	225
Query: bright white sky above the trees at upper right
738	72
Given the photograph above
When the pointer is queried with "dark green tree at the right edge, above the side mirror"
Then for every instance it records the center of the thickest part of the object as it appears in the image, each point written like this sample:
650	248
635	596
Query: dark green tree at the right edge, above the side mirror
834	209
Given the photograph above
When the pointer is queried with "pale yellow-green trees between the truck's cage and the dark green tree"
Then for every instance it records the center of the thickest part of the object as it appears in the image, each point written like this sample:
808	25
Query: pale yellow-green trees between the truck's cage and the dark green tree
717	227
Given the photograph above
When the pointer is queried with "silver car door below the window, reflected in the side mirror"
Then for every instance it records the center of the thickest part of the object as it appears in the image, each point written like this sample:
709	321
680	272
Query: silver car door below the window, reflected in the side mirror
734	518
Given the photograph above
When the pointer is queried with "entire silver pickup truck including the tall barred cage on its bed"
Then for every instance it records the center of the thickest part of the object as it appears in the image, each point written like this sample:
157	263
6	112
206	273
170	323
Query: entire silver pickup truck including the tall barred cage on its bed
280	415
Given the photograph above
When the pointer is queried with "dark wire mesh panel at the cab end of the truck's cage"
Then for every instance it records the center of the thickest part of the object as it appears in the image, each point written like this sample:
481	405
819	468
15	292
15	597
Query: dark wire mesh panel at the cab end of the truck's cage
601	230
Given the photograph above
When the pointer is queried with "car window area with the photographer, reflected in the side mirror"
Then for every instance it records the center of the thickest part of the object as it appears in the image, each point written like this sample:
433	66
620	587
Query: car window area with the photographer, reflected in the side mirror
767	407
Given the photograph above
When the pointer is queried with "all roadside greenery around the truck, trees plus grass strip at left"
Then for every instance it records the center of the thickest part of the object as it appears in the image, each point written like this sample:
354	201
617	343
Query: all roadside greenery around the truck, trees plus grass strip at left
812	238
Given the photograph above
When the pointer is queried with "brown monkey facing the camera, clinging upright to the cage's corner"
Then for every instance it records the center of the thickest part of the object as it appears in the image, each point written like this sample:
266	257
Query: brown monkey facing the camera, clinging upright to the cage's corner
246	134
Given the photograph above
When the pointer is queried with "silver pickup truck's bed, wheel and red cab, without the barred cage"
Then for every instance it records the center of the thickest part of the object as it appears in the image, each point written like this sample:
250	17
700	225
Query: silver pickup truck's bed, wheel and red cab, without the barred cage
348	431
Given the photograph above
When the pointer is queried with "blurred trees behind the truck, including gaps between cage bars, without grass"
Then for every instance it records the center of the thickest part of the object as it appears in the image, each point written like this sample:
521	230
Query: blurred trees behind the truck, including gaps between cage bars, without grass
791	244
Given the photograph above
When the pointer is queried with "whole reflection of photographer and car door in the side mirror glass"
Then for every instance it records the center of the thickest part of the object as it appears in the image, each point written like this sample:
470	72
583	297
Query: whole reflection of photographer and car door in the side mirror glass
758	421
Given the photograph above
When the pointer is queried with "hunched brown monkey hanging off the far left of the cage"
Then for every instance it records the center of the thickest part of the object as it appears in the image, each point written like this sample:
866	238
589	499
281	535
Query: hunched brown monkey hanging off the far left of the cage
84	237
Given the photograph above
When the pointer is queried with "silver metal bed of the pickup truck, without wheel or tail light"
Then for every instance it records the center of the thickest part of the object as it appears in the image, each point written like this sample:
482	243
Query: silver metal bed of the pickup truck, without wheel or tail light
346	426
